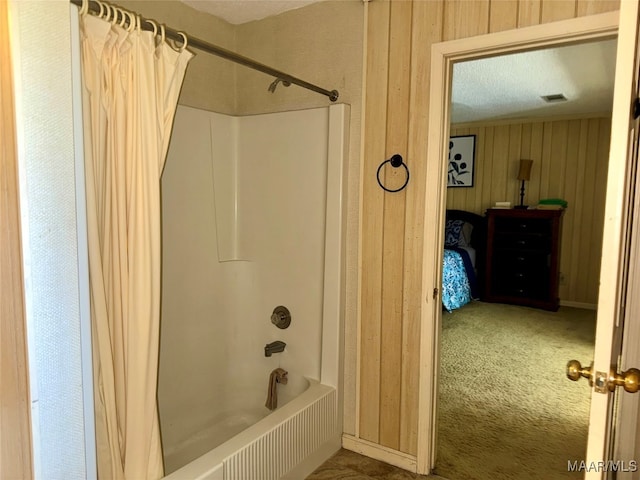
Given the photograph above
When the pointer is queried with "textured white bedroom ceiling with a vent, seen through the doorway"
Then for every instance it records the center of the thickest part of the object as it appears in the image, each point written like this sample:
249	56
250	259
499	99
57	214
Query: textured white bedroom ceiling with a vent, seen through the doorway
511	86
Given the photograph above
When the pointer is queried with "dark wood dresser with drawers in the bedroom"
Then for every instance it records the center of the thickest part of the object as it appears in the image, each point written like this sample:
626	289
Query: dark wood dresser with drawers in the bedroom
523	257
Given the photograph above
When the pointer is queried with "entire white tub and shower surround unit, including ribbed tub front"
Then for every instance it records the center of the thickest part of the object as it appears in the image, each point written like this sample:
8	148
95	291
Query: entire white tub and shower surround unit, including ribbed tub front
252	219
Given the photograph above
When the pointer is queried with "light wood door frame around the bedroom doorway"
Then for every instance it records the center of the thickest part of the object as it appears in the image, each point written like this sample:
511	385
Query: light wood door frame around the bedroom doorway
443	56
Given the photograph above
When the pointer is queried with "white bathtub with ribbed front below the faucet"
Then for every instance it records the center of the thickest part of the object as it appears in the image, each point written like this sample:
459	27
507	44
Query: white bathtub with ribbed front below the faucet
251	443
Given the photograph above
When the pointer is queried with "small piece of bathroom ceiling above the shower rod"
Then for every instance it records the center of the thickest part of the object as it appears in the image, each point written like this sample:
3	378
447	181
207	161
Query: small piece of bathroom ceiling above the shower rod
242	11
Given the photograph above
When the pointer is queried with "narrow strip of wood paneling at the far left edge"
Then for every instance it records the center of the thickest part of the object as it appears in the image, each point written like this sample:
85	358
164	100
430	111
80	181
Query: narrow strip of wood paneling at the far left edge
15	432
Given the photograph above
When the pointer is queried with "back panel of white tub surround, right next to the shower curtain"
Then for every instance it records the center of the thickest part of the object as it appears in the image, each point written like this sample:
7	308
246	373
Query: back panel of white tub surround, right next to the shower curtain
193	346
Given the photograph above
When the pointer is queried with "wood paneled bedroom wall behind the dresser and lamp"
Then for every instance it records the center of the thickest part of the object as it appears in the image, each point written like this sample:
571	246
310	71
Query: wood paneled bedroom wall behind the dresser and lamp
570	159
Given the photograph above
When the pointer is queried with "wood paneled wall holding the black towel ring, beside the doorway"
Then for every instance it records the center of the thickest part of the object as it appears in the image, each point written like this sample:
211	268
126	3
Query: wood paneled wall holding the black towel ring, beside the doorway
399	38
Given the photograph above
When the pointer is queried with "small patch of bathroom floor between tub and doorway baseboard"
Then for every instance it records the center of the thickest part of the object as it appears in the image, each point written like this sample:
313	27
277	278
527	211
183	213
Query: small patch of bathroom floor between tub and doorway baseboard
353	466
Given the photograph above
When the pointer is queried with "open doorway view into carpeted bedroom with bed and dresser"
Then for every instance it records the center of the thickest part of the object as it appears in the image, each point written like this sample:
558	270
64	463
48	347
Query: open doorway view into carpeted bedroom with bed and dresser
494	420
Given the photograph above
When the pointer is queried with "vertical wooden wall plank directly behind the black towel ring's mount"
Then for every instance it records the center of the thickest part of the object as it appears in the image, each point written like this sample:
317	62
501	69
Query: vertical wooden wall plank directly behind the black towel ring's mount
394	223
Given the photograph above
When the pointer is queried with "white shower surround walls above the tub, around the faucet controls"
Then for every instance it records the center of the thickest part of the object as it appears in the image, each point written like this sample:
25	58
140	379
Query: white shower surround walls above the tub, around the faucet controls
244	203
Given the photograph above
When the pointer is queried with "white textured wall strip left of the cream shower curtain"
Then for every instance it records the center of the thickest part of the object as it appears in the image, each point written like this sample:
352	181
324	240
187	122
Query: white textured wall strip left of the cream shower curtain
54	241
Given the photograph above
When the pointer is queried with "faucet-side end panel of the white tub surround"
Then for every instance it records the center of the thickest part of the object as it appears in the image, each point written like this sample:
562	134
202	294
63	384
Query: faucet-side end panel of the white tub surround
282	160
